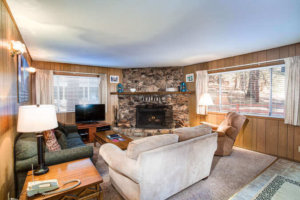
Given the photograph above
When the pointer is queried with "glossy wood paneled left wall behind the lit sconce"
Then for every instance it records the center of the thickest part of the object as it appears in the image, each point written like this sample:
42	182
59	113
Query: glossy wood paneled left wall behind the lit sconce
8	100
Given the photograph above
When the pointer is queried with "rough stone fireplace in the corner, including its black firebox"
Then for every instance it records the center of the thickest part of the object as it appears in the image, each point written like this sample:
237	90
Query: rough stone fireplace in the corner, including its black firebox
151	114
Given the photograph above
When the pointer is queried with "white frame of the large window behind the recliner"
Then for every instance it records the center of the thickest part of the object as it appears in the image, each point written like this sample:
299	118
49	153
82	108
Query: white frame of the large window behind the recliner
244	113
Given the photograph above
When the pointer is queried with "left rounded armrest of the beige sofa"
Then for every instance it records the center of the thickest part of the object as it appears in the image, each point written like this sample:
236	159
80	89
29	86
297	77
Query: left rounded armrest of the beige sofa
118	161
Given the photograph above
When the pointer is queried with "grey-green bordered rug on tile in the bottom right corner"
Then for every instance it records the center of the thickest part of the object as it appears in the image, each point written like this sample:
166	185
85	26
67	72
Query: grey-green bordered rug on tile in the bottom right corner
279	187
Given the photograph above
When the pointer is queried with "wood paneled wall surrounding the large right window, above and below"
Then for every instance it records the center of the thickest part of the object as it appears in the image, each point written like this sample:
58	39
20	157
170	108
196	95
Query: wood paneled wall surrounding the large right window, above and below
262	134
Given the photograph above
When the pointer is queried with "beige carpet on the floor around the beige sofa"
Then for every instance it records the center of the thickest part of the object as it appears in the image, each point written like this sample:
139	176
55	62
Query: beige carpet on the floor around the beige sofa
228	176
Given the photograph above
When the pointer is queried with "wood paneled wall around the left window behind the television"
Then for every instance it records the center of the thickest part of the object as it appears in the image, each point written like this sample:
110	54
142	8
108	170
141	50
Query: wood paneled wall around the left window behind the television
111	87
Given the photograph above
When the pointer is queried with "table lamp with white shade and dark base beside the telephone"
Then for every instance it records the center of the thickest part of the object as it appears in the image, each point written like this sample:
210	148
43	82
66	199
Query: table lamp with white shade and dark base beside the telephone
37	119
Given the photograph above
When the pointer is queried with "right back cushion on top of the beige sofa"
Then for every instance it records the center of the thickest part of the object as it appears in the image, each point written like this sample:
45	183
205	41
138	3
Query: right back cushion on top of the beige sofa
187	133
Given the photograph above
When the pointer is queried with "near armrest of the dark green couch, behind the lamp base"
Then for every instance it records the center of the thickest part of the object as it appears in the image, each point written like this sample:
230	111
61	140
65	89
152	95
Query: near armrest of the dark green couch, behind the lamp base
52	158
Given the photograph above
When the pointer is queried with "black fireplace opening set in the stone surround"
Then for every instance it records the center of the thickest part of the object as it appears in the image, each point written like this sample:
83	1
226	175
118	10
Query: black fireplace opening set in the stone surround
154	116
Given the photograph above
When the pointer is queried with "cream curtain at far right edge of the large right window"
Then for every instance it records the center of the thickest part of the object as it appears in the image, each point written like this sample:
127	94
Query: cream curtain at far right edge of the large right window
292	91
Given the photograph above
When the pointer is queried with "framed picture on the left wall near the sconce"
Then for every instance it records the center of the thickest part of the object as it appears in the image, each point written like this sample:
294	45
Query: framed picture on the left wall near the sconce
23	80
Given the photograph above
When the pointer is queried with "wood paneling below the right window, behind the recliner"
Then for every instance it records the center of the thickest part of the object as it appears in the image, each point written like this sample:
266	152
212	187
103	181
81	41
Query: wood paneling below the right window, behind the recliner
265	135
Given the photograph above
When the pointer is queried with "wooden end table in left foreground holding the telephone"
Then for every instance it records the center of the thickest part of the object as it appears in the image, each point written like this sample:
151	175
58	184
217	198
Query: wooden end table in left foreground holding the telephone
82	169
